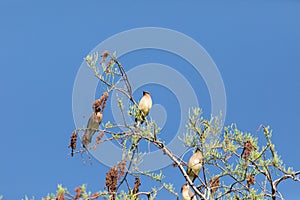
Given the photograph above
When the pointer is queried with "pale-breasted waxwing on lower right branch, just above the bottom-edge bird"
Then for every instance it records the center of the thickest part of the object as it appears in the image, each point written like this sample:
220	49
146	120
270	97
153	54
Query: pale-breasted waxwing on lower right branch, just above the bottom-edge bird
195	164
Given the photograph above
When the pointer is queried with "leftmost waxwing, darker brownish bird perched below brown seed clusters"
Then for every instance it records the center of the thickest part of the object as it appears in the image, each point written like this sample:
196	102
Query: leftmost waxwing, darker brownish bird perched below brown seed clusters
93	125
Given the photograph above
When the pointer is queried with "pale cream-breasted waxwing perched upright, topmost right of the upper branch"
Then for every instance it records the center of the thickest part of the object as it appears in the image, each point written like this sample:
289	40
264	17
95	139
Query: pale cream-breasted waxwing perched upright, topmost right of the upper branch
144	108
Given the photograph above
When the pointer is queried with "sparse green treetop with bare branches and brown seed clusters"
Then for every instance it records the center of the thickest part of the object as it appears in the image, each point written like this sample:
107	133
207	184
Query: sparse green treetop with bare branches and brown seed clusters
236	164
